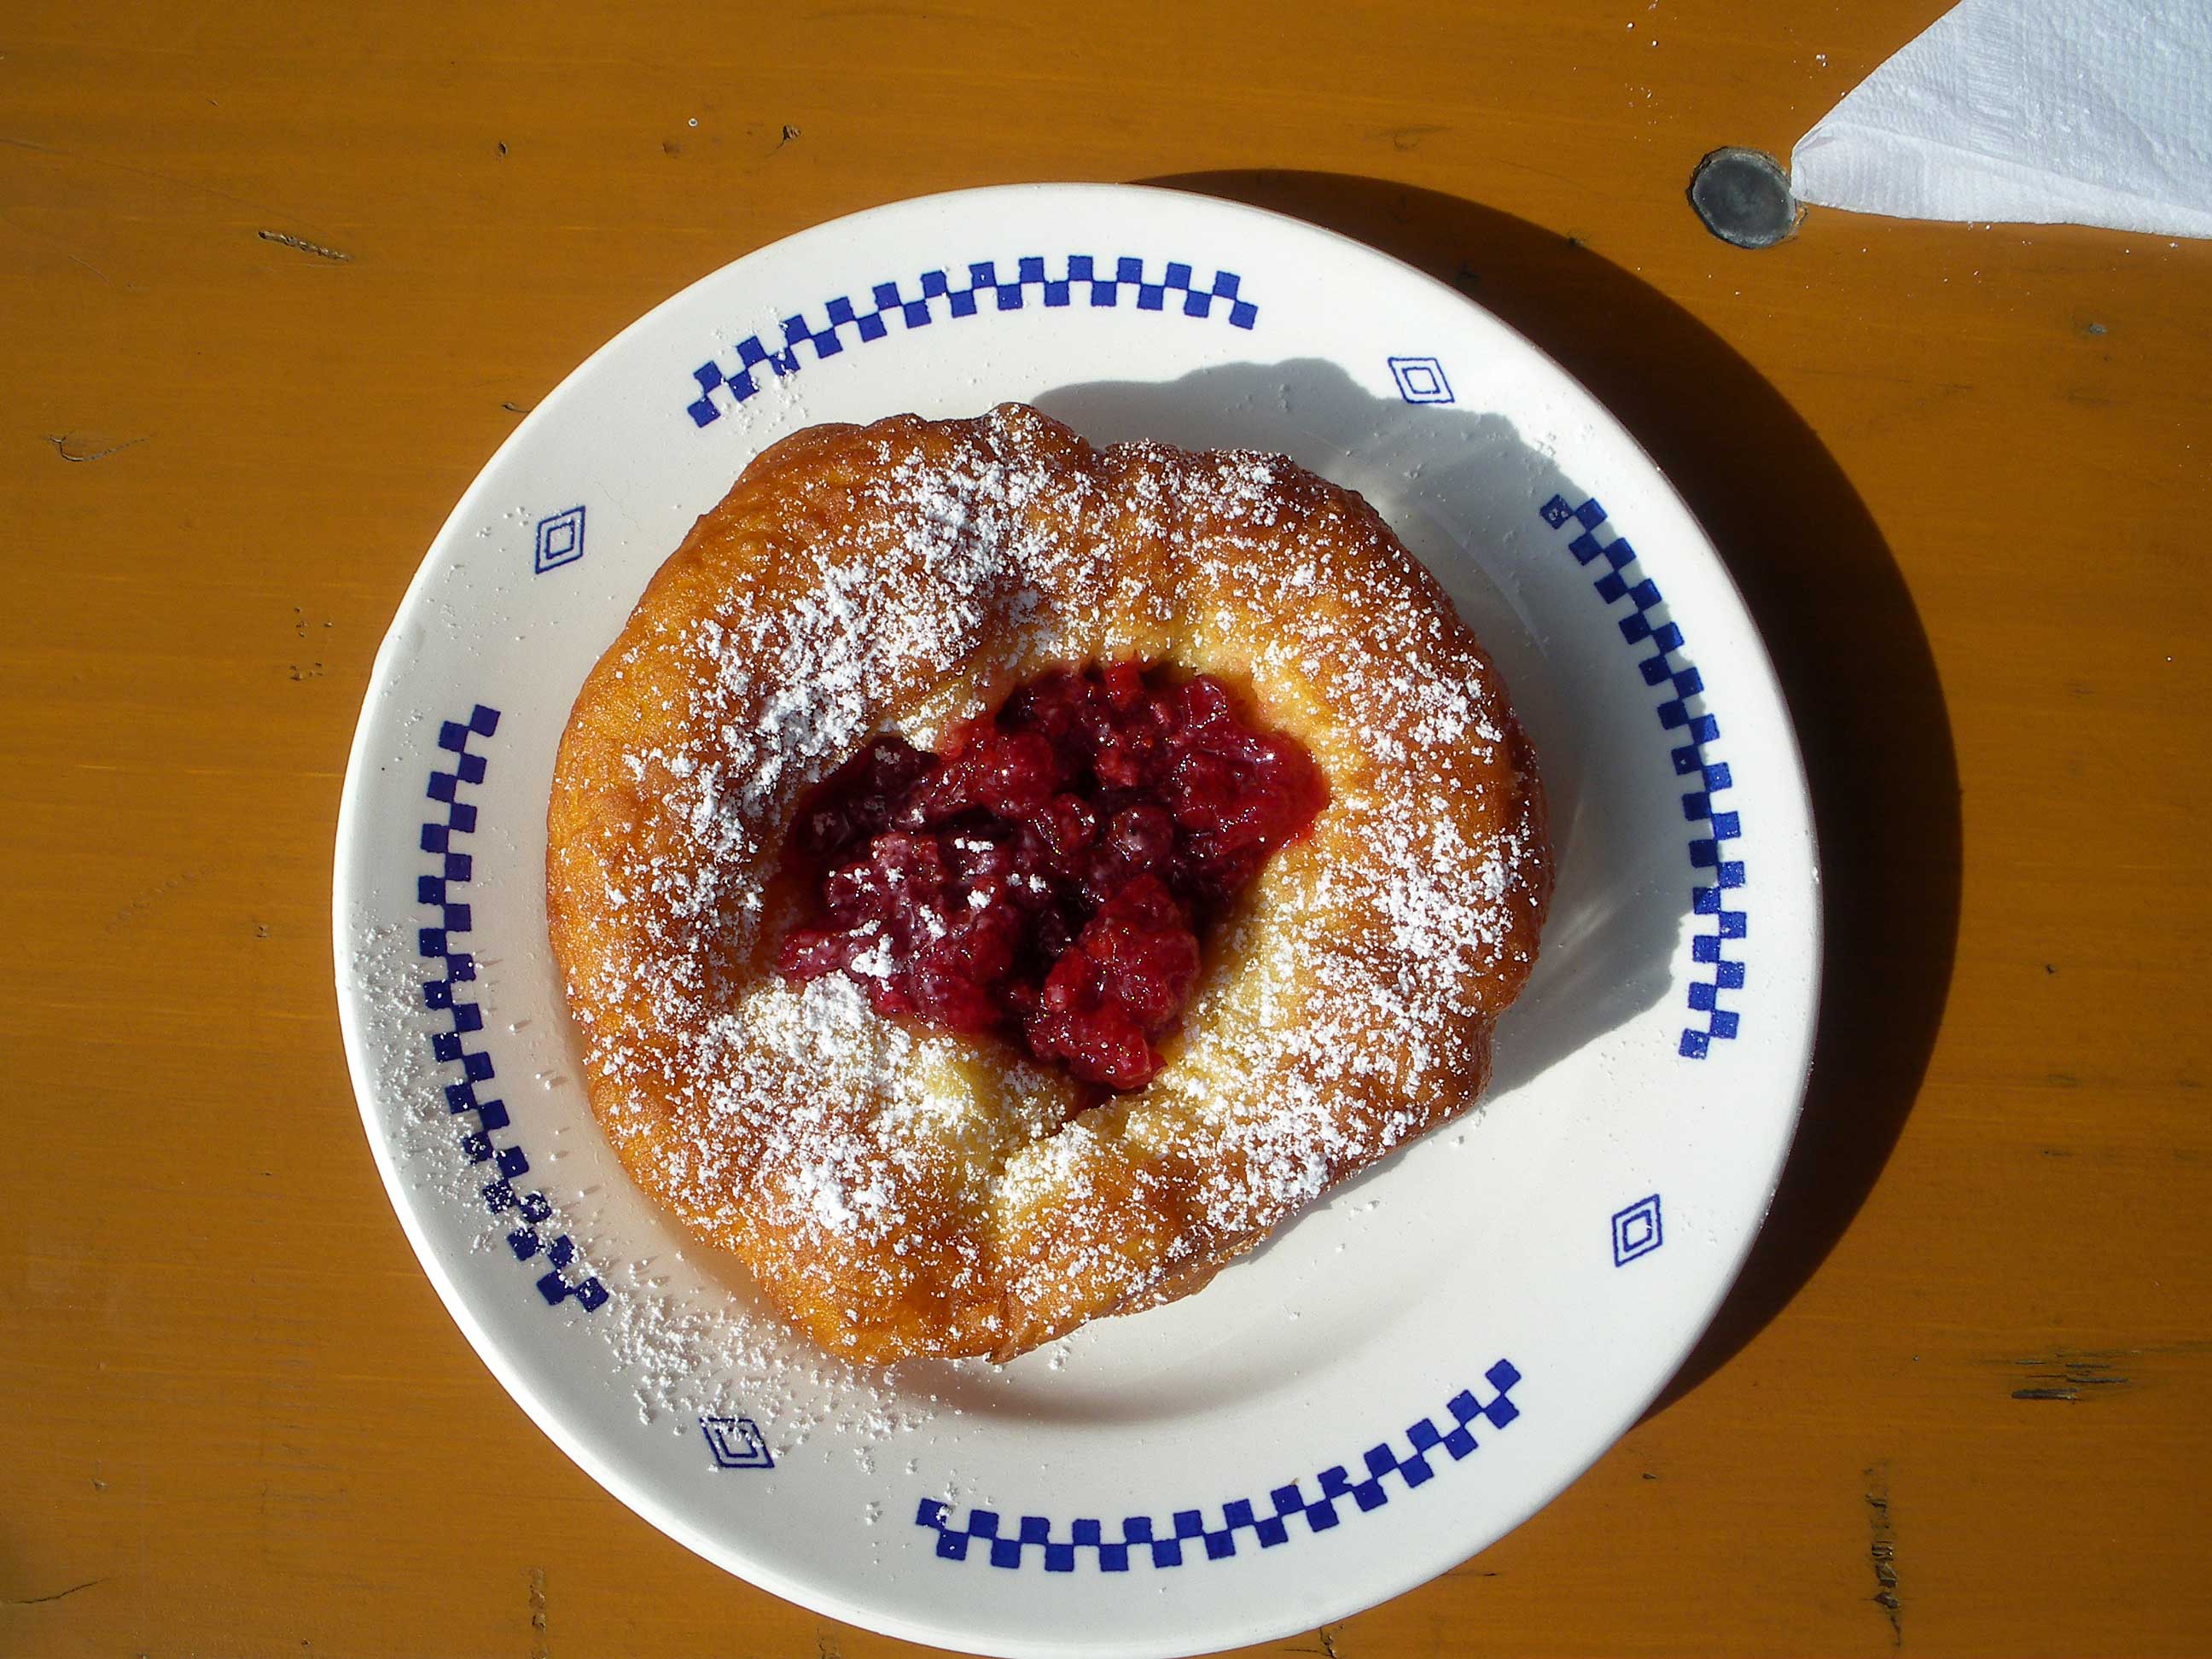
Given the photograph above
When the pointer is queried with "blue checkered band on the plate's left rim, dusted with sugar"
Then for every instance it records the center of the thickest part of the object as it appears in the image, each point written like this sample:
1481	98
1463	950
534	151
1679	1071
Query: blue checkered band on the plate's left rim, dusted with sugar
446	895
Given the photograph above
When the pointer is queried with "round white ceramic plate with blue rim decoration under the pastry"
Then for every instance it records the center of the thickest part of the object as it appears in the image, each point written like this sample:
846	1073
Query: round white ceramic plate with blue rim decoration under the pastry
1406	1373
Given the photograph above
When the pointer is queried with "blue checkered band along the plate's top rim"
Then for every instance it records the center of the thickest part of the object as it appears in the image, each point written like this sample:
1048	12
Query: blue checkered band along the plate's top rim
941	295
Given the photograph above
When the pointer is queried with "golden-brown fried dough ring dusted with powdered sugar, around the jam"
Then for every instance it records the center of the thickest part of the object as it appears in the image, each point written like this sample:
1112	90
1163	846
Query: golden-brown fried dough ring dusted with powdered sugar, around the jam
1346	1010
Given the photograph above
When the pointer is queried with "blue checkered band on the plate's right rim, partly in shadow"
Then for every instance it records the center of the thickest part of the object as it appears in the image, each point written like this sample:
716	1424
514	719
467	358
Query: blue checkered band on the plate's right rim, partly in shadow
1715	897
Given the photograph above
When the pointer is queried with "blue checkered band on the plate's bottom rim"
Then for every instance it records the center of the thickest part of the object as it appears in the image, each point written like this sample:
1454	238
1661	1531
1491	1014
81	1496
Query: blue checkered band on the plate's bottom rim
1196	1534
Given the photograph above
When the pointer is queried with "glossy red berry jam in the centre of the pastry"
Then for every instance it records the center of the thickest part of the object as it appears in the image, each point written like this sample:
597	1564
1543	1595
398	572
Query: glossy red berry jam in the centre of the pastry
1050	875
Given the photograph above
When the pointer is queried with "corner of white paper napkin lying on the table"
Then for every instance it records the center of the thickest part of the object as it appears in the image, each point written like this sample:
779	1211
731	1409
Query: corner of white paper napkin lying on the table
2032	112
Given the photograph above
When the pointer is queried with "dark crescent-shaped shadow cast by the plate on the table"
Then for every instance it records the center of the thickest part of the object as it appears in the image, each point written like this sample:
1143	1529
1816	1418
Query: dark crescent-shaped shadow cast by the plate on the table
1839	623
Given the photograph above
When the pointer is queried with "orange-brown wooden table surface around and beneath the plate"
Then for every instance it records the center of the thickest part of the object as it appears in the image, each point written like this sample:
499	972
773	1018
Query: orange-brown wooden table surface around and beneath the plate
275	282
